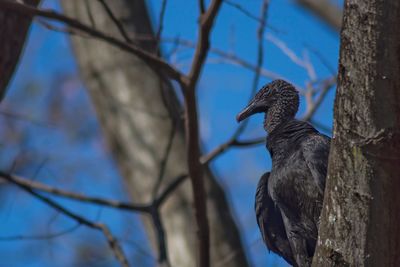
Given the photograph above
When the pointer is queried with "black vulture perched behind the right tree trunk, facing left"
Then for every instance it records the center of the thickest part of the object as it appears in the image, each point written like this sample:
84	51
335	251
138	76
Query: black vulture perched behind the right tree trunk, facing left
289	198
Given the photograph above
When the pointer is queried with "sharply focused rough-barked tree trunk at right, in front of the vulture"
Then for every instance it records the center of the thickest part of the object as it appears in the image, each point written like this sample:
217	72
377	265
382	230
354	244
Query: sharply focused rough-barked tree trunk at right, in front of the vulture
360	219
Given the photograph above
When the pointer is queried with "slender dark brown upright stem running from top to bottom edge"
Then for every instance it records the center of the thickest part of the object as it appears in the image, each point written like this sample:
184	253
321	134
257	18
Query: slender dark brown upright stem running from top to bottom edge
195	168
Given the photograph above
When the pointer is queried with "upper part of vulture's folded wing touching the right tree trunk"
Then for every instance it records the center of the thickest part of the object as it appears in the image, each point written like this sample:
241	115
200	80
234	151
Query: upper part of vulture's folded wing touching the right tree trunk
316	152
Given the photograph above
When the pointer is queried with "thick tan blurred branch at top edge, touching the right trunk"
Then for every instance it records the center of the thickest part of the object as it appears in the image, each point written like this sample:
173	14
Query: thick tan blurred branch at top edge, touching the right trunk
325	10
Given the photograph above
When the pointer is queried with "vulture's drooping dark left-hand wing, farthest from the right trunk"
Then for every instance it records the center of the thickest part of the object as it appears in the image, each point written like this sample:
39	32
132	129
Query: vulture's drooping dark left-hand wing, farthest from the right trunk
270	222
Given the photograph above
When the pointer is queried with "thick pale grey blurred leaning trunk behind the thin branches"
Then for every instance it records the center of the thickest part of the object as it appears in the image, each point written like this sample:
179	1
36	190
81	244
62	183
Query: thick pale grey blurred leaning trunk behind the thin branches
137	110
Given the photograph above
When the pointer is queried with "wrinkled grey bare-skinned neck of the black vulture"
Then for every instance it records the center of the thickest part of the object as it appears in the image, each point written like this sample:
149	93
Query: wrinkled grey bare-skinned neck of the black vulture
276	115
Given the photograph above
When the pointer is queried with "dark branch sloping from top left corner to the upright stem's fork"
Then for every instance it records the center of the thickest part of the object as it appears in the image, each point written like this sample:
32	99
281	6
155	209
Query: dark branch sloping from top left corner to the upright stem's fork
151	60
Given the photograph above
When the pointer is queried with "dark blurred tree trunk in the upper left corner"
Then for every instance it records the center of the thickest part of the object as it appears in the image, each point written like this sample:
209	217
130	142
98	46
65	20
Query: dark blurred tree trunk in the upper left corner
13	32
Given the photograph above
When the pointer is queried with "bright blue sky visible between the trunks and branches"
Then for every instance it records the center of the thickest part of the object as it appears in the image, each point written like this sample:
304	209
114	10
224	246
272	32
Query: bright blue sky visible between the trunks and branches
59	156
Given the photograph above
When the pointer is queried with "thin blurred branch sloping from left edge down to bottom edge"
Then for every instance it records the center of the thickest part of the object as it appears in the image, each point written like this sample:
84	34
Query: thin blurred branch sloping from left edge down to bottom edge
112	242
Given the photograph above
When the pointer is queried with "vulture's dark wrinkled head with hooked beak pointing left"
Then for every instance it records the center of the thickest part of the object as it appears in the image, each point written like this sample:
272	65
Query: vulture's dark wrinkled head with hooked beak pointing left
279	96
